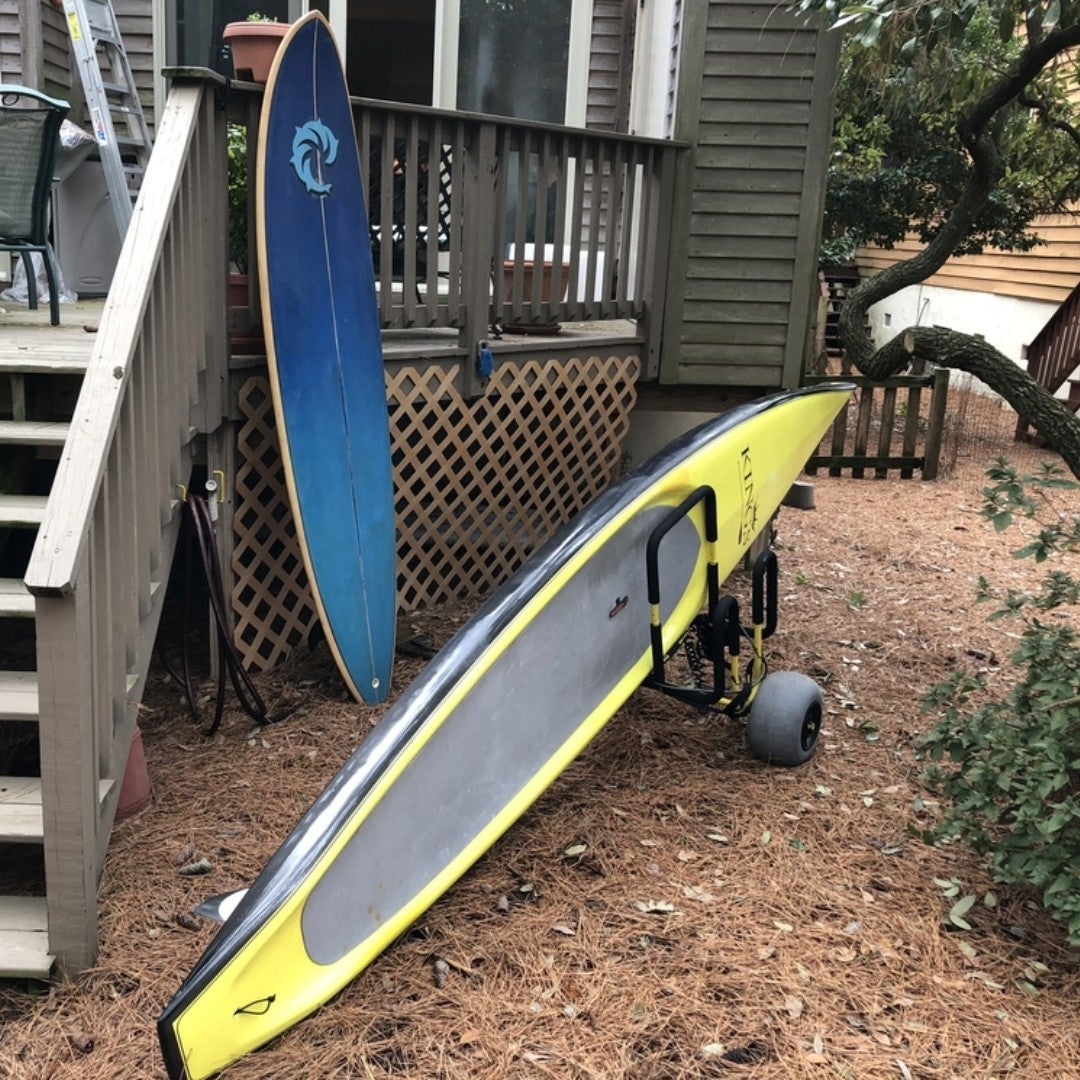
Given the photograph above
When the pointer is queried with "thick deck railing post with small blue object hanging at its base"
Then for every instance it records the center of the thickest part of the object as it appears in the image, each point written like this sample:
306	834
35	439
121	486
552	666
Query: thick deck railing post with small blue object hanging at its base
478	234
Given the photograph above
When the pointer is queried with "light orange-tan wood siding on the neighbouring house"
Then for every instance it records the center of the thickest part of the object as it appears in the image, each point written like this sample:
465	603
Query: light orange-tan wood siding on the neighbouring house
1047	273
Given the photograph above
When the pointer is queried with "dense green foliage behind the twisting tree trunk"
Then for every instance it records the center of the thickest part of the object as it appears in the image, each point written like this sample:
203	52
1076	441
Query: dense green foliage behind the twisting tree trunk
898	165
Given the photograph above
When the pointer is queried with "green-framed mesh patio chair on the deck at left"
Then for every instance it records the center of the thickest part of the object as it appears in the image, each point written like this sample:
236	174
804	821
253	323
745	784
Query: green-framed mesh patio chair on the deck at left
30	137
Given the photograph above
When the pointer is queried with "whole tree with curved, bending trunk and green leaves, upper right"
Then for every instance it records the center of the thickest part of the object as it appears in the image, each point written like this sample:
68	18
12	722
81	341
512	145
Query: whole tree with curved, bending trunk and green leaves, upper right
958	123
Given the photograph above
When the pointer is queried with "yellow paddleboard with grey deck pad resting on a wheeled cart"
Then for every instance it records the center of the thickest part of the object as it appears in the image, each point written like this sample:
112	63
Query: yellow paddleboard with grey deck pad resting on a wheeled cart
507	705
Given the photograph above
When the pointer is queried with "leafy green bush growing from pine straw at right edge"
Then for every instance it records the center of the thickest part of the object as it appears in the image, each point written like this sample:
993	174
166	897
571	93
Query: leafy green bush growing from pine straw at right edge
1009	765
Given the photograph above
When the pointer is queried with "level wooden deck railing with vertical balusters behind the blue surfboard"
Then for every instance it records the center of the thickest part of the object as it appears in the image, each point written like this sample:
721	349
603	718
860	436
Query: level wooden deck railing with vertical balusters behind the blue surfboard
479	222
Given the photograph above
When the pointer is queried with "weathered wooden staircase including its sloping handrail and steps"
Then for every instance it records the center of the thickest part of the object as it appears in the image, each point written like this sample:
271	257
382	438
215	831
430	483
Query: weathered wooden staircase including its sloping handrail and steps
100	420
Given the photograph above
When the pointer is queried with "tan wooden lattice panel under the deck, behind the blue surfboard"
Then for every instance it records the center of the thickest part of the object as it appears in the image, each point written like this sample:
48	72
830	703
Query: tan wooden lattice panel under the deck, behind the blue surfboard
478	485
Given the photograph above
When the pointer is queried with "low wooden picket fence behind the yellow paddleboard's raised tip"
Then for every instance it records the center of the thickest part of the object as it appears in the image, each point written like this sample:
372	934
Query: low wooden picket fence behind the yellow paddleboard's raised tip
904	413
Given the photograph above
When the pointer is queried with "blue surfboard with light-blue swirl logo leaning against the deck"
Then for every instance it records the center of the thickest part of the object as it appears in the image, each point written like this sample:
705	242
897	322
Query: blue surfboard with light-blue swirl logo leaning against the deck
325	353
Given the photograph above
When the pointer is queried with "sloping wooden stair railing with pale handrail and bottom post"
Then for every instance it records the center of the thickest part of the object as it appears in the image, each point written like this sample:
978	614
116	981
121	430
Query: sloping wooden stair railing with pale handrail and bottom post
156	381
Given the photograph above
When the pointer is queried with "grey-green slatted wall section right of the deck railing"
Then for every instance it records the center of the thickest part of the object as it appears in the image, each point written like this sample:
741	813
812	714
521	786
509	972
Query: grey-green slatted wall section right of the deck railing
748	211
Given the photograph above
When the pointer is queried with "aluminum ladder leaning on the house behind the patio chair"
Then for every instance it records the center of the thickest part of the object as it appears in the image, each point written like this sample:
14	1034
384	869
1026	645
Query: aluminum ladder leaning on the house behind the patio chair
116	114
